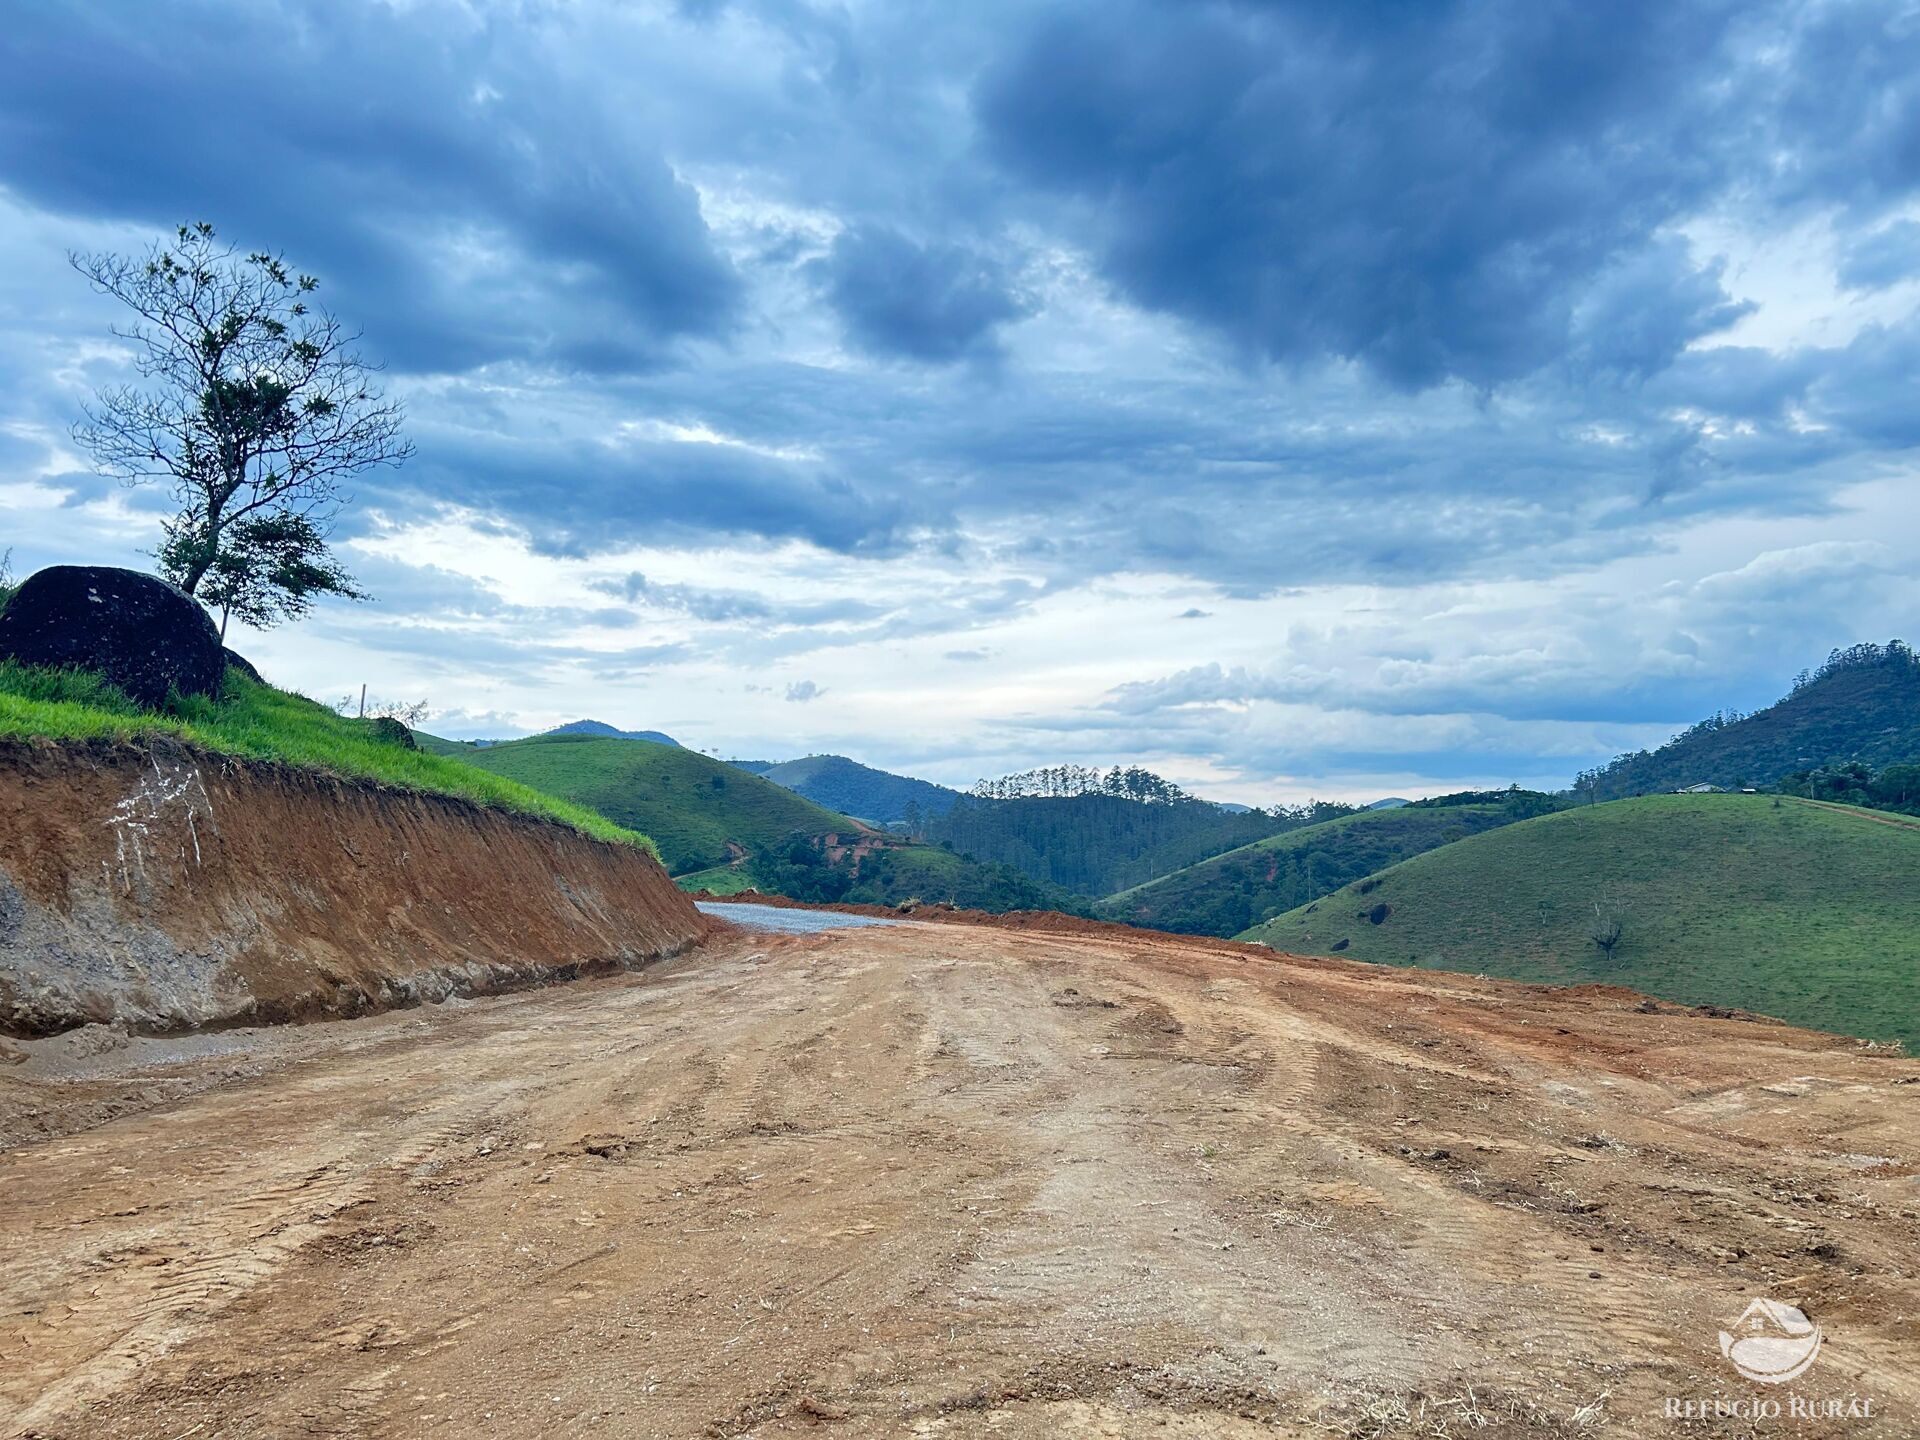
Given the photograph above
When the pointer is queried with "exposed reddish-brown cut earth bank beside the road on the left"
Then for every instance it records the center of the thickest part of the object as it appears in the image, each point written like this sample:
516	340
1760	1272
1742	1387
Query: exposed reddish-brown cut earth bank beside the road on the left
160	888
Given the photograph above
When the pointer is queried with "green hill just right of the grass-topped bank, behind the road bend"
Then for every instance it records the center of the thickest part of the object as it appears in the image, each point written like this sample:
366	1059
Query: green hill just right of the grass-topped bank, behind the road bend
692	805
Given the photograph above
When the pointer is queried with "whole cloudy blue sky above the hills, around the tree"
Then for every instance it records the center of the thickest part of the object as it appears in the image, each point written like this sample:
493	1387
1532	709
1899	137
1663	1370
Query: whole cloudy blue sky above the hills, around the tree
1297	398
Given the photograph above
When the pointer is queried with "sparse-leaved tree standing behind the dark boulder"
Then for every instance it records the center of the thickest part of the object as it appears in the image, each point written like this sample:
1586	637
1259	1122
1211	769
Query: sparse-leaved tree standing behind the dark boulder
252	406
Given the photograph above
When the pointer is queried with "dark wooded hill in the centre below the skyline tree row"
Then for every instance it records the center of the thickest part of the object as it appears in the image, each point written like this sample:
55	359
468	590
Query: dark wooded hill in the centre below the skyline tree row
1093	844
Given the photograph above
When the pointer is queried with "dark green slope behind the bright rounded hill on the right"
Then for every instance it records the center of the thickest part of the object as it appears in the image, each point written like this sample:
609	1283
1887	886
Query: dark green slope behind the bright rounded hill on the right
1257	882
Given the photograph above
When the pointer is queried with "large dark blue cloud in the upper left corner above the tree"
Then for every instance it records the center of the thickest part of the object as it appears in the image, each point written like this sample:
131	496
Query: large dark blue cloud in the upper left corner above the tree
466	201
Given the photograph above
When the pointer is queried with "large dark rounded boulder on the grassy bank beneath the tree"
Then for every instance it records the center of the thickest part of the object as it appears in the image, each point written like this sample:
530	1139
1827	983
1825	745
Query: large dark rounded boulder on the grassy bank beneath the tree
132	629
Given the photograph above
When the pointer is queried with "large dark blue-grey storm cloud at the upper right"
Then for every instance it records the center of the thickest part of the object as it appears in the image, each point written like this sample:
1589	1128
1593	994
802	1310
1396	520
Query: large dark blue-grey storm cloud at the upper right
1452	191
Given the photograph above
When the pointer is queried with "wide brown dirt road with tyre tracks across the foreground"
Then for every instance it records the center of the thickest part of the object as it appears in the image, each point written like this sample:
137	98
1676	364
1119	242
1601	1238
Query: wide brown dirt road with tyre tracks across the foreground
955	1182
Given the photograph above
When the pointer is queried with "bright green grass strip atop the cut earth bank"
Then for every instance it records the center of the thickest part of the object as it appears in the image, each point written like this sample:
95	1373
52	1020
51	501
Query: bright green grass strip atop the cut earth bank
272	725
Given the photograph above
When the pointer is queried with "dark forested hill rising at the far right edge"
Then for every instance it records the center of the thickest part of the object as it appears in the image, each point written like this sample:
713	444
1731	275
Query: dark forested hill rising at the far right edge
1861	706
